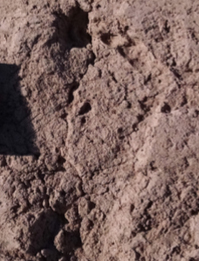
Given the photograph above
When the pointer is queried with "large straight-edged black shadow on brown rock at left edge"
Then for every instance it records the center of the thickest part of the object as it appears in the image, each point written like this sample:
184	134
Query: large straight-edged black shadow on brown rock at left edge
17	136
